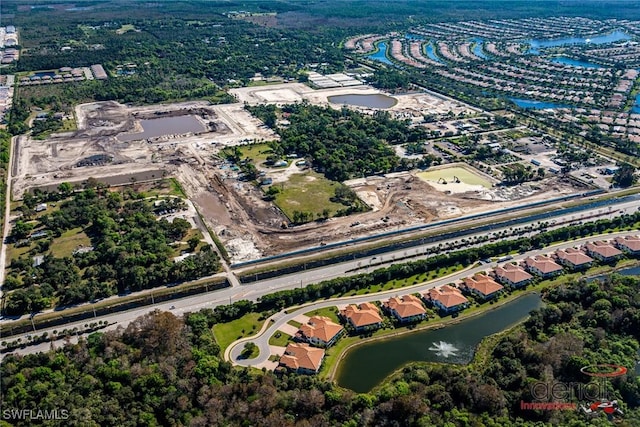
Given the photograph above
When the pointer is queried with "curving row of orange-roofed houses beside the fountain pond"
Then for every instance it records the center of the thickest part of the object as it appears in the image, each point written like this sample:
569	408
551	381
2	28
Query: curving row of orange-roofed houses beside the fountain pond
321	332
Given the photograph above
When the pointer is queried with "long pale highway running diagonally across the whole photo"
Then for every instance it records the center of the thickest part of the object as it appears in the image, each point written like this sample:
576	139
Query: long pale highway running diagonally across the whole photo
255	290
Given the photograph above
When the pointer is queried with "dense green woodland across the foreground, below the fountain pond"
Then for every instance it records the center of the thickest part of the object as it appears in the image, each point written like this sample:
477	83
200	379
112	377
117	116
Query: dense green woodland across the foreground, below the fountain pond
163	370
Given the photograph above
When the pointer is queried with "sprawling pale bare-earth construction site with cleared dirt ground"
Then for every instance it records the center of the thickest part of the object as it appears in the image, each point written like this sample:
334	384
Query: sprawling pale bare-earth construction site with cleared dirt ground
121	145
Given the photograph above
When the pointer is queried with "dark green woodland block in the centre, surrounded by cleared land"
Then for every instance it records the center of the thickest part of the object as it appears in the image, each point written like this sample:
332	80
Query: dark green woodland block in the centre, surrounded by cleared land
344	143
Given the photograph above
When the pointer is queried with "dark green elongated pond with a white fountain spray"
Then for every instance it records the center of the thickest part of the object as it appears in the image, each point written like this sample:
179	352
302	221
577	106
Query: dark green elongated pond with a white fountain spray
366	365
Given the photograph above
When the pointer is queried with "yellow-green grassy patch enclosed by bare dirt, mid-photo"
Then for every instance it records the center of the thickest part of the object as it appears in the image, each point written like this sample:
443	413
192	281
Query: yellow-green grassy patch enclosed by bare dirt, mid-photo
307	192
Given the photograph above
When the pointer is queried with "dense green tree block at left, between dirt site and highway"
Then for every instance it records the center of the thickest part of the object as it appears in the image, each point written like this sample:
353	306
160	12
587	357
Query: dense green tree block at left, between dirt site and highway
131	250
